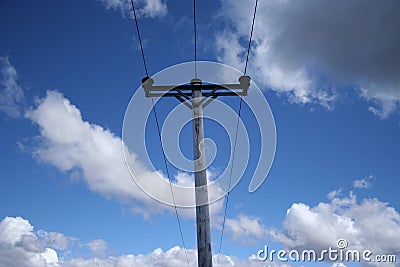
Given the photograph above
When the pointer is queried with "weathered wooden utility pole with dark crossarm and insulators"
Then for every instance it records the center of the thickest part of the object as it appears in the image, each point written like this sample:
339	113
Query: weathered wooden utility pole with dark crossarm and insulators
197	96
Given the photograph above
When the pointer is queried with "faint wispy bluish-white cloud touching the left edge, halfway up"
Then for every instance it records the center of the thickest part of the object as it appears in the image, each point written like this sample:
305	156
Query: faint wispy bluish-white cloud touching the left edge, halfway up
11	95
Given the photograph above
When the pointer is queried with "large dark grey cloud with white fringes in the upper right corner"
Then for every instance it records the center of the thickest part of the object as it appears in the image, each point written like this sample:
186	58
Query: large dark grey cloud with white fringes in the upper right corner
309	49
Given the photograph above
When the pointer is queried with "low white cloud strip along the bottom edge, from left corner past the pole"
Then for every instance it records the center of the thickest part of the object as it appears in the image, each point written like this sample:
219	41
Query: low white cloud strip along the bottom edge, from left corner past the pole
17	236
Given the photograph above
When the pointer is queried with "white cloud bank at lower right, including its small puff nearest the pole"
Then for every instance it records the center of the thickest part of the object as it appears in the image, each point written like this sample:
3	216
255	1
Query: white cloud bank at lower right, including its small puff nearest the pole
369	224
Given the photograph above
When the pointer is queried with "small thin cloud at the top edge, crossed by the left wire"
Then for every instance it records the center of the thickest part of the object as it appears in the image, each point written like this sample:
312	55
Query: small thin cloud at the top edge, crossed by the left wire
145	8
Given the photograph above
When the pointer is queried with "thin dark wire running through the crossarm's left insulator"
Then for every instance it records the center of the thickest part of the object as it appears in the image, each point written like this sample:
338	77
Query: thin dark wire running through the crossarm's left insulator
160	139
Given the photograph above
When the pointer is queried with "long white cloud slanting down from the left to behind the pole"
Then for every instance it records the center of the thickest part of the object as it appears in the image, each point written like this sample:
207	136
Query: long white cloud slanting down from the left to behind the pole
71	144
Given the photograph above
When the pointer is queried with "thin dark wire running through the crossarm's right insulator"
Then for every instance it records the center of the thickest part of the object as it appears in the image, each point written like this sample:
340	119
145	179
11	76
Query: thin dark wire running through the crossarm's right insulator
236	135
